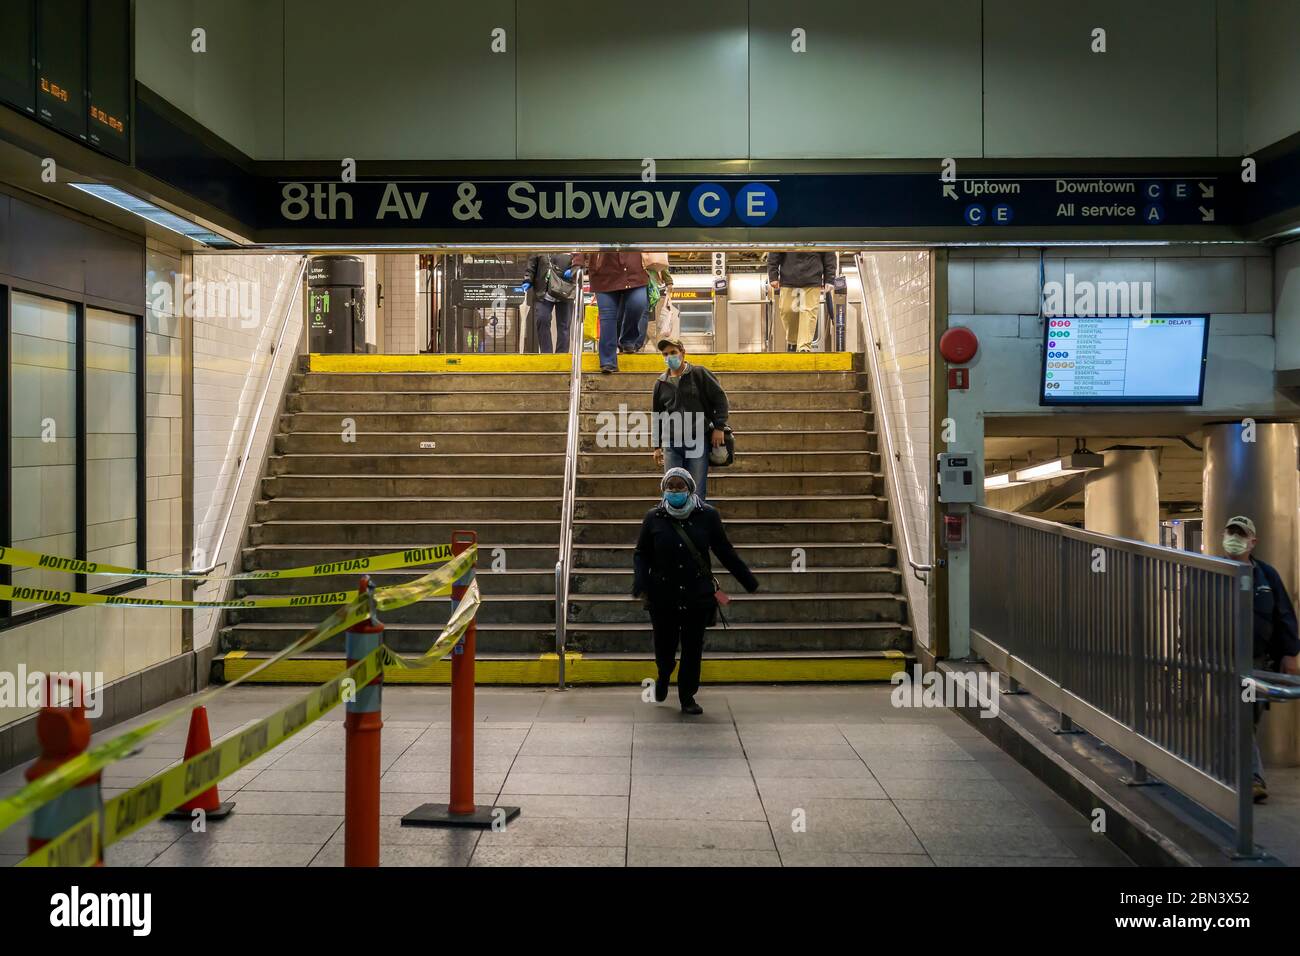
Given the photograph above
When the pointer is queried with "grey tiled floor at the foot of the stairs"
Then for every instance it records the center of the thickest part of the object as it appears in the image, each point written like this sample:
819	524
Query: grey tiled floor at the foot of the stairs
768	777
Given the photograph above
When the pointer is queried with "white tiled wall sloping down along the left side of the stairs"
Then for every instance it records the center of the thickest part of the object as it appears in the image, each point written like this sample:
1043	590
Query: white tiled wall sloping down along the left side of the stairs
232	361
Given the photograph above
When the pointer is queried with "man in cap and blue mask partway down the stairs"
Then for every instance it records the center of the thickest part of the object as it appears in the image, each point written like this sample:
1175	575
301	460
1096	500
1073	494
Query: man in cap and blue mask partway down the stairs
691	406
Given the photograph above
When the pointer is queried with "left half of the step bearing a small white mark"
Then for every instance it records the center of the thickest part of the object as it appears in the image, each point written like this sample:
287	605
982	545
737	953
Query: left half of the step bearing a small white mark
419	443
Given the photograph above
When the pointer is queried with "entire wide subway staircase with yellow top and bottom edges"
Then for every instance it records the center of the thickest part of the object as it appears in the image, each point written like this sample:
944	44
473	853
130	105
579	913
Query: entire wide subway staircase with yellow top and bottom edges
440	451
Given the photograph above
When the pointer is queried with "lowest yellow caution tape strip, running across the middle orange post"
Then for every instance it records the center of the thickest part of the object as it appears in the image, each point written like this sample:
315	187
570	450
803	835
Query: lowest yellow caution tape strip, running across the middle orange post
124	815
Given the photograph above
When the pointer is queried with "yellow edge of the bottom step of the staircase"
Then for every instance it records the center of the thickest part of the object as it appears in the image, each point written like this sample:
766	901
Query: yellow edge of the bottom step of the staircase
579	671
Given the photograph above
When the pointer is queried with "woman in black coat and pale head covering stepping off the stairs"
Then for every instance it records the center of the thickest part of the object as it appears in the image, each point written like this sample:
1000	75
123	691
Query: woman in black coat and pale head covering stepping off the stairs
675	582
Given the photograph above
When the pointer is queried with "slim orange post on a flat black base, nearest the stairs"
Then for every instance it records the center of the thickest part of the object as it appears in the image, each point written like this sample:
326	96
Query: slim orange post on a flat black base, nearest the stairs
462	811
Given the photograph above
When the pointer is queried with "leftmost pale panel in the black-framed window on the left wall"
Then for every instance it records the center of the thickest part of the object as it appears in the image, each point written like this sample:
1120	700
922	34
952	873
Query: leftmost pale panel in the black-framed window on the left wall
44	444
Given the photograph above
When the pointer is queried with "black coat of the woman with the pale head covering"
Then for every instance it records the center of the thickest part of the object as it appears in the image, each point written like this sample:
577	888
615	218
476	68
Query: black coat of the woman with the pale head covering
668	573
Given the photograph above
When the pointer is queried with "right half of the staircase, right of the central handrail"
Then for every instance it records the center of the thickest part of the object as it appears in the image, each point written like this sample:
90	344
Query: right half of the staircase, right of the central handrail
803	504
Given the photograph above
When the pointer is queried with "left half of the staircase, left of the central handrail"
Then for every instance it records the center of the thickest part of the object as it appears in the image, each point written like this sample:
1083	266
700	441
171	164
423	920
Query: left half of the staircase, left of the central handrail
430	453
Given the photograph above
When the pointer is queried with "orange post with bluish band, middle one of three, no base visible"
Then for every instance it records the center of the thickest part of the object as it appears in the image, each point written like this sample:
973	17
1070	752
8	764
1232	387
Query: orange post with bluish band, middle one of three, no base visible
363	764
